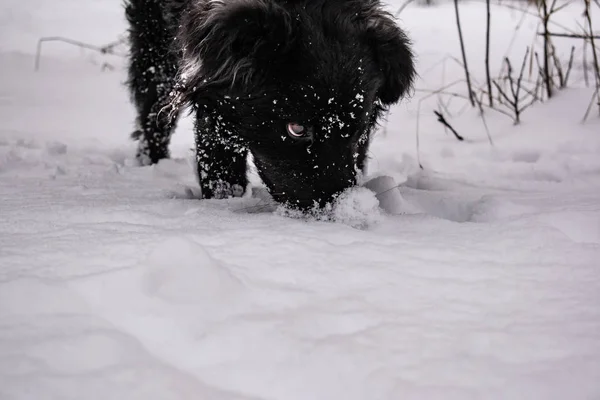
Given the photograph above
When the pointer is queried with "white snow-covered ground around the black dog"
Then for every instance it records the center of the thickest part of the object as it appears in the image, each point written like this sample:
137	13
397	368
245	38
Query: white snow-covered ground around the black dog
479	278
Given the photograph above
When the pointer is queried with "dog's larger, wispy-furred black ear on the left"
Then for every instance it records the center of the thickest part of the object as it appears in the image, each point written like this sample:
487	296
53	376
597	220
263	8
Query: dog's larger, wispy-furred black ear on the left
228	41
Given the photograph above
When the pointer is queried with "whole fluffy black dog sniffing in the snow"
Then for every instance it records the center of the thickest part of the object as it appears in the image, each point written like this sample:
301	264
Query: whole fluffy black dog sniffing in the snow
300	84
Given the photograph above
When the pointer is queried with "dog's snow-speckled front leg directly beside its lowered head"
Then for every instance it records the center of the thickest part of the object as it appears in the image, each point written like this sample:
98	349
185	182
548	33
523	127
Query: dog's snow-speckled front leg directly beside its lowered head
221	163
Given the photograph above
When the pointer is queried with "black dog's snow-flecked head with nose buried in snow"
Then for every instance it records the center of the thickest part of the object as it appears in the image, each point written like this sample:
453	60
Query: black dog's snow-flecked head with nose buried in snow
301	82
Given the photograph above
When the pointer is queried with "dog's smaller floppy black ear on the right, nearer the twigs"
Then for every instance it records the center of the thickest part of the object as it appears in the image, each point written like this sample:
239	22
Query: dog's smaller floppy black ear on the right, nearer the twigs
393	55
